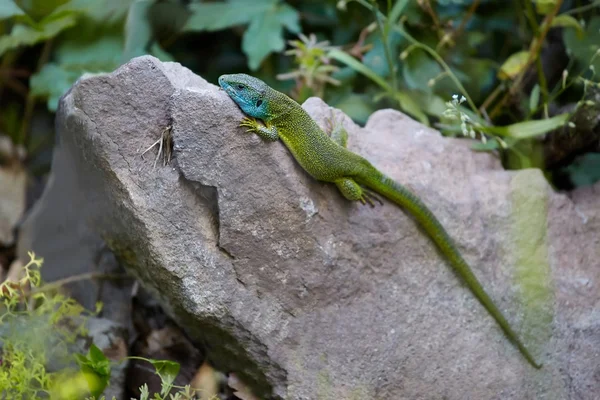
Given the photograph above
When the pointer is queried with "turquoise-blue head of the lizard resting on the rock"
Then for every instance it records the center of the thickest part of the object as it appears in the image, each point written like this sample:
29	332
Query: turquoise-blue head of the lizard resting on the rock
249	93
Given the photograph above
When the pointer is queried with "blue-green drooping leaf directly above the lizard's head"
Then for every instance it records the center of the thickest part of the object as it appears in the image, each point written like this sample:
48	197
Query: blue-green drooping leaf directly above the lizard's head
265	34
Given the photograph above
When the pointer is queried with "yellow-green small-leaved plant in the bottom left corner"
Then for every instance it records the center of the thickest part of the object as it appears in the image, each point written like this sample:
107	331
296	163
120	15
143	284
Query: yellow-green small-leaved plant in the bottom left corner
35	329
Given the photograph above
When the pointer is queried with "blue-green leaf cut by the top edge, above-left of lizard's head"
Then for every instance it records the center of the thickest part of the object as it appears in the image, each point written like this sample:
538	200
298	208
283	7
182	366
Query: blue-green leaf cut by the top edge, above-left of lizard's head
220	15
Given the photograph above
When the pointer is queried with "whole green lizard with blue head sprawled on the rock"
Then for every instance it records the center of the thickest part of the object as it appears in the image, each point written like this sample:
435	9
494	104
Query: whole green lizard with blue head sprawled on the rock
327	159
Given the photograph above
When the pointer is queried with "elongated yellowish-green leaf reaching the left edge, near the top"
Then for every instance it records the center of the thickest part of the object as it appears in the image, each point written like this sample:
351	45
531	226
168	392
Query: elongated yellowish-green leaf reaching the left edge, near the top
24	35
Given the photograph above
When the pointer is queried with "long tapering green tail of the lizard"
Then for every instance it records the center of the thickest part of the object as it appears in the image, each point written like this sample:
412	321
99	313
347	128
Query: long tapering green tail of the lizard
392	190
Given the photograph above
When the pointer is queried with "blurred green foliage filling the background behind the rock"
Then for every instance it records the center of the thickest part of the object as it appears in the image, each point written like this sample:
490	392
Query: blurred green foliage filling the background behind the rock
509	74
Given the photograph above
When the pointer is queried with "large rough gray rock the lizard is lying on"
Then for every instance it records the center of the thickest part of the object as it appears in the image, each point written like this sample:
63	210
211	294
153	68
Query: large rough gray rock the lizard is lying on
305	295
